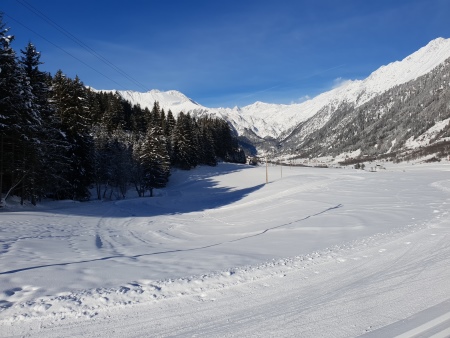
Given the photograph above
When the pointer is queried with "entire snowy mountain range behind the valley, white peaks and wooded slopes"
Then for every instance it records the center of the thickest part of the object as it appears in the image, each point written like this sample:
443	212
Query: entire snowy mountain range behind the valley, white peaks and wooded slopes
400	111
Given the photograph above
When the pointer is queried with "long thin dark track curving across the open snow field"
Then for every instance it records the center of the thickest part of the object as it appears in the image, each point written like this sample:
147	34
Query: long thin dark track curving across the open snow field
99	245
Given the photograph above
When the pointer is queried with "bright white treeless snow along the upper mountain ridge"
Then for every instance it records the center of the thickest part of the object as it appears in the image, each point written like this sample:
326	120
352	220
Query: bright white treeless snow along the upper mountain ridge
266	119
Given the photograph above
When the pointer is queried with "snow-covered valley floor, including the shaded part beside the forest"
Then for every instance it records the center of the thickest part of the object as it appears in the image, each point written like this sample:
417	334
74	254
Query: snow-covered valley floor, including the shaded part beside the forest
219	253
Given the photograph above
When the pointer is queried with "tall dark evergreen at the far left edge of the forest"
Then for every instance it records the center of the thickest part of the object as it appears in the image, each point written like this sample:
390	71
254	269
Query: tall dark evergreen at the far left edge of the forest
19	122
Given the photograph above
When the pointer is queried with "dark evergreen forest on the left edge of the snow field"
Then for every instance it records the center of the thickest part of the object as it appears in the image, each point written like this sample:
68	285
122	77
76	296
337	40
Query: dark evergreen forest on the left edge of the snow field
59	139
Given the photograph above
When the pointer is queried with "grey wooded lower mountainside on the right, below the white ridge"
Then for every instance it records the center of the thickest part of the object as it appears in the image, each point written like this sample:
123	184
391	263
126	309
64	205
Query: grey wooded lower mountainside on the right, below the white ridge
408	120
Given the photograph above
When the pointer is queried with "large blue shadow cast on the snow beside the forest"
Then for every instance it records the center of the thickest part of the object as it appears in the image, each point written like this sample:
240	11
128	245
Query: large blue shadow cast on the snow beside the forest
187	191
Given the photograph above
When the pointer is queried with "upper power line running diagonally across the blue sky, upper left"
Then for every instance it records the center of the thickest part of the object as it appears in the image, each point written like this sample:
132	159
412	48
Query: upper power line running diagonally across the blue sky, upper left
80	43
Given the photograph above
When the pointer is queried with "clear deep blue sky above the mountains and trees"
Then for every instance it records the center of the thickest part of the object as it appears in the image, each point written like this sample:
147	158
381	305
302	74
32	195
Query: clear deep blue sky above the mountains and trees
225	53
